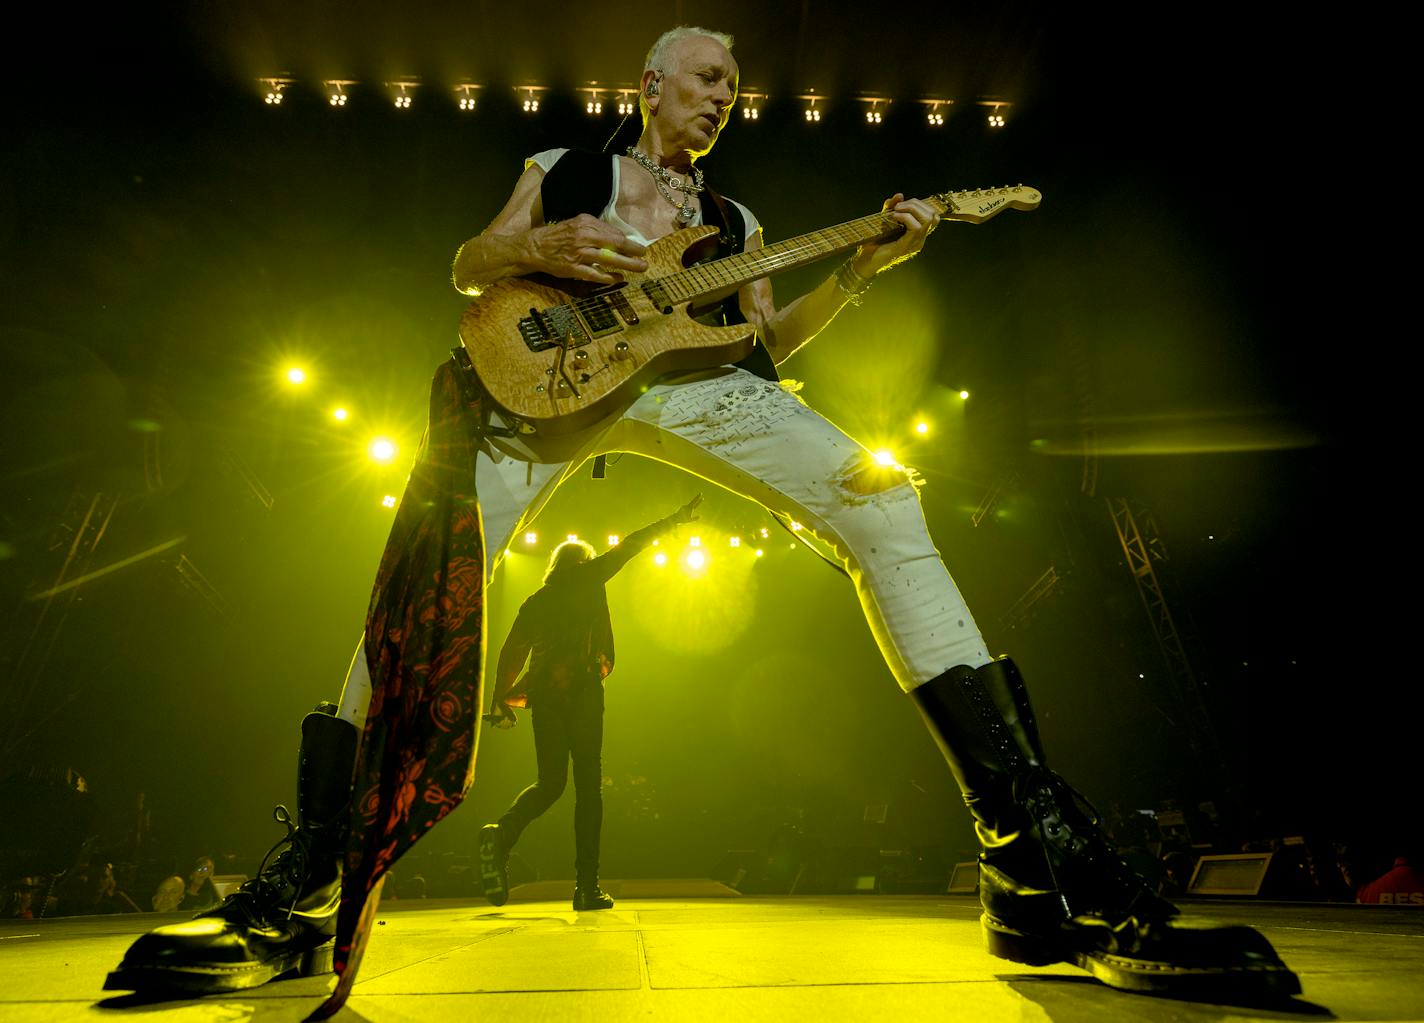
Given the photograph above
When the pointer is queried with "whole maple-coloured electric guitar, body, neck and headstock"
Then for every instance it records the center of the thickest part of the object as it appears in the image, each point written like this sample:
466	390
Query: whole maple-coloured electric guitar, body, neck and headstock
557	355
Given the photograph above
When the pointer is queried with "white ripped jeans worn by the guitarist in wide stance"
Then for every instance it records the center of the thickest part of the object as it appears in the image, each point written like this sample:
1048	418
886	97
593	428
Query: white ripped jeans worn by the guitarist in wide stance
761	441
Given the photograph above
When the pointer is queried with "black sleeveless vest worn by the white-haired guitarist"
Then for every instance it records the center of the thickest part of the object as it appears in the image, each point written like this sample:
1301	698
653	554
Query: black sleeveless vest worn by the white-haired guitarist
582	183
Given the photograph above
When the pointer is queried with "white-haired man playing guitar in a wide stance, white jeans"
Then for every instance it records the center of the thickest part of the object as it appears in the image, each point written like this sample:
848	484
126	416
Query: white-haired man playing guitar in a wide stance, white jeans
1052	886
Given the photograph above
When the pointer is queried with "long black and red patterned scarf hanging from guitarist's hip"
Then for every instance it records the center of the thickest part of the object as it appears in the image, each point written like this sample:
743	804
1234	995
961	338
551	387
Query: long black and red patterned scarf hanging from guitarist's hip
425	649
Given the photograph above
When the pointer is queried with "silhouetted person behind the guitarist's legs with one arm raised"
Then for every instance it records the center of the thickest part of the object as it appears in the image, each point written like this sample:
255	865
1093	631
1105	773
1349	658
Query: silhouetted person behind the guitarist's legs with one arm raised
566	636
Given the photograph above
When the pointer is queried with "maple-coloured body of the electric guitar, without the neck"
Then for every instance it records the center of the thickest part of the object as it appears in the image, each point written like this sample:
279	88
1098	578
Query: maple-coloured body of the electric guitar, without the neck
560	355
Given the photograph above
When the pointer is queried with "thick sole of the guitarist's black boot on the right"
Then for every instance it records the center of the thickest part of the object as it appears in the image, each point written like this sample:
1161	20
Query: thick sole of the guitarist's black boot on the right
1138	975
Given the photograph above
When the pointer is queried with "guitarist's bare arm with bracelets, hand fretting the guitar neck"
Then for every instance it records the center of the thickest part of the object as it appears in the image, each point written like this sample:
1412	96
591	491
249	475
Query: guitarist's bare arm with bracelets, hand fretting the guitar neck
791	327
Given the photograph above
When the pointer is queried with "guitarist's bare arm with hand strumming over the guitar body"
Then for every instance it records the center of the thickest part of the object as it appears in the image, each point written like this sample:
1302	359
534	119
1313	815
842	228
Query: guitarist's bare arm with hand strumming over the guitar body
519	243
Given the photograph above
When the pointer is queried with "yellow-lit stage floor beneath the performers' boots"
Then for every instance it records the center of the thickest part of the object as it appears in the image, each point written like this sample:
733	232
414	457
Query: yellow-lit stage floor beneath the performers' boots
710	954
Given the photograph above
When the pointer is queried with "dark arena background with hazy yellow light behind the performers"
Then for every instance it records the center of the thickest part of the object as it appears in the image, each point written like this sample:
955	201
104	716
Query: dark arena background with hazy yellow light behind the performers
1194	290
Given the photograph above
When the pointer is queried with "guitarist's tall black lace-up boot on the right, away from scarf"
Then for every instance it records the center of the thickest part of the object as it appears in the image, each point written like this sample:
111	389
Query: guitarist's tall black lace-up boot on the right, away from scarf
1052	886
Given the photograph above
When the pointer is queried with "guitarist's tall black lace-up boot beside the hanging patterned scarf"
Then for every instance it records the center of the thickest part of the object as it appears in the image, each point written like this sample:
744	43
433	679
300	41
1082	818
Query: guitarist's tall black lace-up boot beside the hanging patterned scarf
284	920
